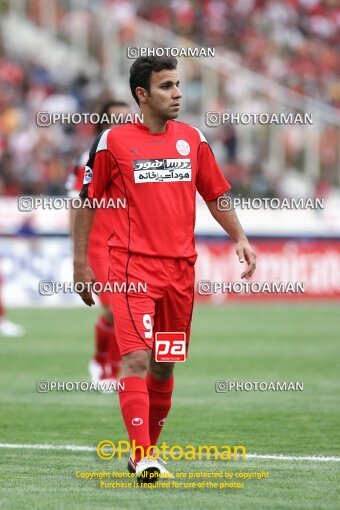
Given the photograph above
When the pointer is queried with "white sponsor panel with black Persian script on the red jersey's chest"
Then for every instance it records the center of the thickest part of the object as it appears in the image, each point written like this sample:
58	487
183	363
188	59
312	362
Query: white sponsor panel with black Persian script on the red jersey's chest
162	170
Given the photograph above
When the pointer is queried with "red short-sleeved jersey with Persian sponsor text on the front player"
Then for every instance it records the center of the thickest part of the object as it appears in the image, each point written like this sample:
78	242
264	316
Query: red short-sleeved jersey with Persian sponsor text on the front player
157	176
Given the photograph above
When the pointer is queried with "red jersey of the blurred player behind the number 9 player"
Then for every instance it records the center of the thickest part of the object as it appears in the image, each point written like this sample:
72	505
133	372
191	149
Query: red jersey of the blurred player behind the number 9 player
101	228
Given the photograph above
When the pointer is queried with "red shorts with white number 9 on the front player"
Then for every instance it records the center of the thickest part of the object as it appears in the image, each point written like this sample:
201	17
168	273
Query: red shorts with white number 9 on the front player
163	300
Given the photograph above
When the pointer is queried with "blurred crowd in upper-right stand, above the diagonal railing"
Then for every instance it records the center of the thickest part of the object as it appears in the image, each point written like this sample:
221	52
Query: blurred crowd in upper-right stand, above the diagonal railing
292	41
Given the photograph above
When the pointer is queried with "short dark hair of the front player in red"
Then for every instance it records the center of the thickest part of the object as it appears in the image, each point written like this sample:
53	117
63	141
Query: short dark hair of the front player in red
142	68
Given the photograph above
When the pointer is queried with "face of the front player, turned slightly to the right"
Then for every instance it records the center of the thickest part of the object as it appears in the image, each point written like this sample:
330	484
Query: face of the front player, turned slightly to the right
164	96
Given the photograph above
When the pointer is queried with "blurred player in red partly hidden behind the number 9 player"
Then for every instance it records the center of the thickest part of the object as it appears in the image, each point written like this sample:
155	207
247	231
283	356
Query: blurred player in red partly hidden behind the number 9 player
106	360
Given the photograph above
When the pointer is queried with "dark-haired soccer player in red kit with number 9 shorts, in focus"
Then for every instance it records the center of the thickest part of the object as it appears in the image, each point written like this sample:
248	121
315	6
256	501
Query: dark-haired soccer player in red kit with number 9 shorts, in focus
157	166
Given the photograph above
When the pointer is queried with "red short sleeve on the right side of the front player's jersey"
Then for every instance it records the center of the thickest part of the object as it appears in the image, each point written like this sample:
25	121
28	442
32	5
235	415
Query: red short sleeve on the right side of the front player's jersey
210	181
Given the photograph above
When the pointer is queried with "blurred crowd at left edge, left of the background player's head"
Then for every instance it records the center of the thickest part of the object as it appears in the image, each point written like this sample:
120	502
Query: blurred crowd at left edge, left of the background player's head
36	160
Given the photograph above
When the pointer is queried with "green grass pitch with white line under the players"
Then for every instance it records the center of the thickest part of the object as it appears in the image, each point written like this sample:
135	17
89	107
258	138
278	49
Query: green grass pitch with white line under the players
263	342
